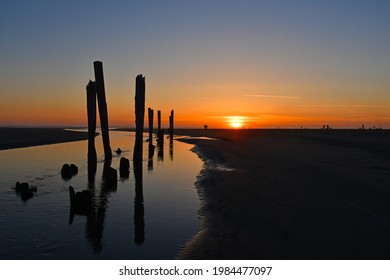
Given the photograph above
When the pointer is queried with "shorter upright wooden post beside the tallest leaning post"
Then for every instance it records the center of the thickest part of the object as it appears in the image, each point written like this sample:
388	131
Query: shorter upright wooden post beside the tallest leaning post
91	113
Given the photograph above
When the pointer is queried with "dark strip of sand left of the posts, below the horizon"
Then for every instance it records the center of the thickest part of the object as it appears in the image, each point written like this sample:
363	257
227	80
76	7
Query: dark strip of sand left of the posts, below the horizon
11	137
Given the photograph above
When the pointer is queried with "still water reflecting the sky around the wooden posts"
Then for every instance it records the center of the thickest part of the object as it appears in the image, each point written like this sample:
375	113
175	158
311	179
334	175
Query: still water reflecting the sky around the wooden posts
120	227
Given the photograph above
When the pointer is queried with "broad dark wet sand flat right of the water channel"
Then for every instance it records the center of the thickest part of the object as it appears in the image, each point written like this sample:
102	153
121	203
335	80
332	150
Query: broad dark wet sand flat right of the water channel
292	194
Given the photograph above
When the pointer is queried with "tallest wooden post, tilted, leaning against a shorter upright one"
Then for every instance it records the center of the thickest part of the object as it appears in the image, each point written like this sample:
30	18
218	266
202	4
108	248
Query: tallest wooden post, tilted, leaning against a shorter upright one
101	97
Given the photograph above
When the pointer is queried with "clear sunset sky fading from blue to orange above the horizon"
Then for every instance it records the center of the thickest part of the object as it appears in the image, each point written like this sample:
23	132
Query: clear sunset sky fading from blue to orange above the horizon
221	63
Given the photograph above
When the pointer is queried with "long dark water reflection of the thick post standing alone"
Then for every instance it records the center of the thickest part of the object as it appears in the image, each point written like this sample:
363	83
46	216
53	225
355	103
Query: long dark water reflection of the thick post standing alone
139	212
